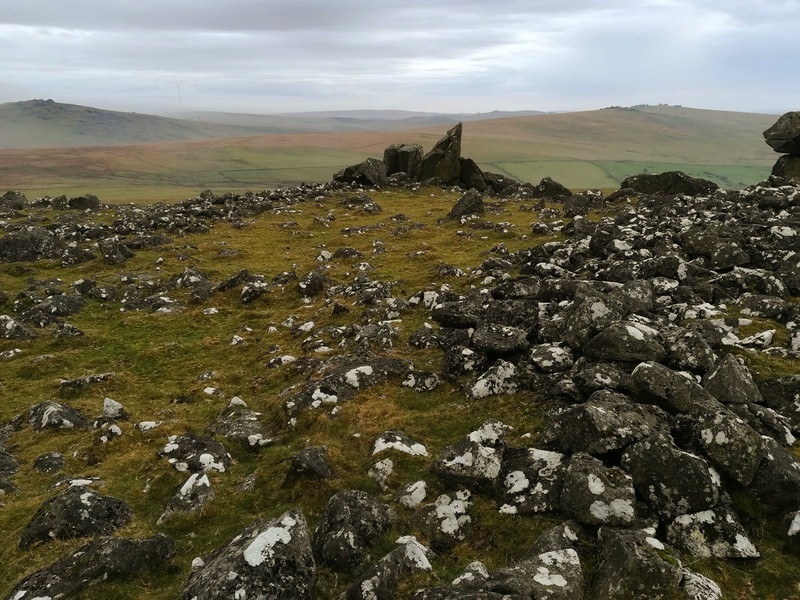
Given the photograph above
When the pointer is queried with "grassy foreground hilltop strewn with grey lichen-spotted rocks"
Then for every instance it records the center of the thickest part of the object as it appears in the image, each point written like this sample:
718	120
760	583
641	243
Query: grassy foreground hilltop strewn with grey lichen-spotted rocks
269	394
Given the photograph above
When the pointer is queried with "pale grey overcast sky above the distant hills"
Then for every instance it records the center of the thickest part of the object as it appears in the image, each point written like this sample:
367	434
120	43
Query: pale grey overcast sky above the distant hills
267	56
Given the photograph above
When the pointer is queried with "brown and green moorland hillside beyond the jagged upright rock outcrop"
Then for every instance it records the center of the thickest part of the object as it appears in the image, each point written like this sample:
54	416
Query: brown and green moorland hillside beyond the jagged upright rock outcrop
582	150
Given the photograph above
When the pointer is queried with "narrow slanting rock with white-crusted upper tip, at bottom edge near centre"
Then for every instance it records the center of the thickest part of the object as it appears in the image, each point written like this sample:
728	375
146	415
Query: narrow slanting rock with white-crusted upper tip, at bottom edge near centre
380	580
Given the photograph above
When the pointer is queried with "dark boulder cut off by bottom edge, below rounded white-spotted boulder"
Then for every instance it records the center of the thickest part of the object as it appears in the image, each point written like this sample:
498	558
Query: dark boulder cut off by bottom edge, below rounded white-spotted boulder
634	564
